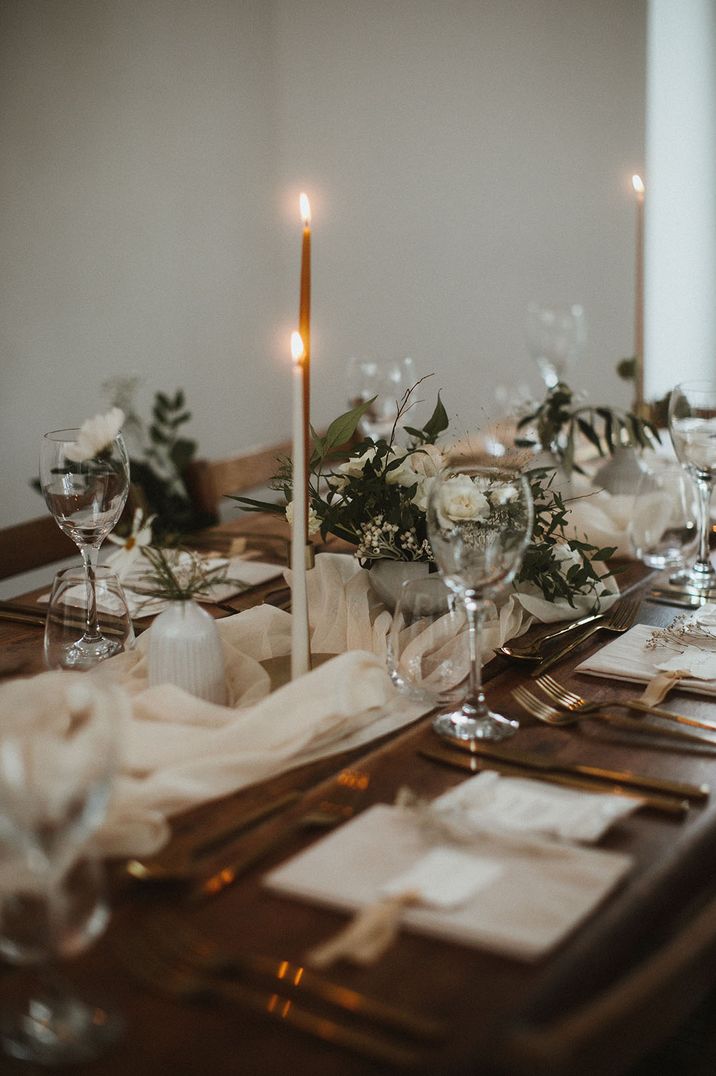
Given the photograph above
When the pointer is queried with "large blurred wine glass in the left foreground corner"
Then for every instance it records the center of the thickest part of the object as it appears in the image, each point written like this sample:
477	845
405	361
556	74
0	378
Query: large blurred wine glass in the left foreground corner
59	748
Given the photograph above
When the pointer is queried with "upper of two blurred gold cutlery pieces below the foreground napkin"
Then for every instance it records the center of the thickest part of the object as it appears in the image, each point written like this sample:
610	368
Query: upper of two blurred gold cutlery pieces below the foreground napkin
188	945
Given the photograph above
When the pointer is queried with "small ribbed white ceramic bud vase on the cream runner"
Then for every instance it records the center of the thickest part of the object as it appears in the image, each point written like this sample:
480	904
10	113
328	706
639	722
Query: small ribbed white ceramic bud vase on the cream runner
186	650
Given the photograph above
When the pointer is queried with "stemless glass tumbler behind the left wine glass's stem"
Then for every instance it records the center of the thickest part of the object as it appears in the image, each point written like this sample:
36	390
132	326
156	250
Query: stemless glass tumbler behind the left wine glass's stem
67	616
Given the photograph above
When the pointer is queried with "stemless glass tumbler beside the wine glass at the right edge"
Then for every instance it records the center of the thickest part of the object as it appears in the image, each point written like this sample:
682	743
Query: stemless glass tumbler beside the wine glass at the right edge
664	529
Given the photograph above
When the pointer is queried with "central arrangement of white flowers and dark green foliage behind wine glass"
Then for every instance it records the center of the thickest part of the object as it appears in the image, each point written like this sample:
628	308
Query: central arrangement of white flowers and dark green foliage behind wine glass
376	499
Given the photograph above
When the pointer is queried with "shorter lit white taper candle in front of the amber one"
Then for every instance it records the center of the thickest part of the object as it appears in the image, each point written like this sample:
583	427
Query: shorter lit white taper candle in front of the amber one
300	645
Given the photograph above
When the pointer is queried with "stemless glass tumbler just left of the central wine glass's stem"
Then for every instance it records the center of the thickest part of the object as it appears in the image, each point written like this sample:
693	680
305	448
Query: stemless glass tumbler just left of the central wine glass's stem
428	652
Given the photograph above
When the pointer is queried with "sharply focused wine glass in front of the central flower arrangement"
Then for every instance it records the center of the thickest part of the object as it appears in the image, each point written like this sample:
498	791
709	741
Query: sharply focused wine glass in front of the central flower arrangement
480	523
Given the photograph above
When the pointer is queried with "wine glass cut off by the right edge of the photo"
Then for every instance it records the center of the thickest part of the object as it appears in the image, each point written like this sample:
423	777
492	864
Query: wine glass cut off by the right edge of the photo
693	429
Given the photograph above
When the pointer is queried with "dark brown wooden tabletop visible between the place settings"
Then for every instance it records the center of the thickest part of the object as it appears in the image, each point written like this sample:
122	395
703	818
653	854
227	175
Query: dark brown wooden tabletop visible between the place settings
483	999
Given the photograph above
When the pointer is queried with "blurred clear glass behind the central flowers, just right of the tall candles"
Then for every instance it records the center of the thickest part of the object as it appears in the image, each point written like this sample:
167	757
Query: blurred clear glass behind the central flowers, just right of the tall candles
388	381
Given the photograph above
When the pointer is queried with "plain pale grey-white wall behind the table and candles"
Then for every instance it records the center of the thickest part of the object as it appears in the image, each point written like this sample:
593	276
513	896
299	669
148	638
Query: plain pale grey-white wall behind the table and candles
462	158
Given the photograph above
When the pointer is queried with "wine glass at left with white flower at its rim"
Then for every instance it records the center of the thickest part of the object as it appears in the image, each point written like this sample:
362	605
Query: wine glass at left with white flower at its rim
87	500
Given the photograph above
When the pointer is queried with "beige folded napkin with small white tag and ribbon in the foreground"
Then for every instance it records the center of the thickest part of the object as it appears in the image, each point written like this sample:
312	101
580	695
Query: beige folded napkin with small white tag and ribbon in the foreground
518	898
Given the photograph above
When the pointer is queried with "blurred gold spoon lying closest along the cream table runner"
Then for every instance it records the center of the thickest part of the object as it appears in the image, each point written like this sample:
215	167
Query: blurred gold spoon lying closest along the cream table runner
184	866
